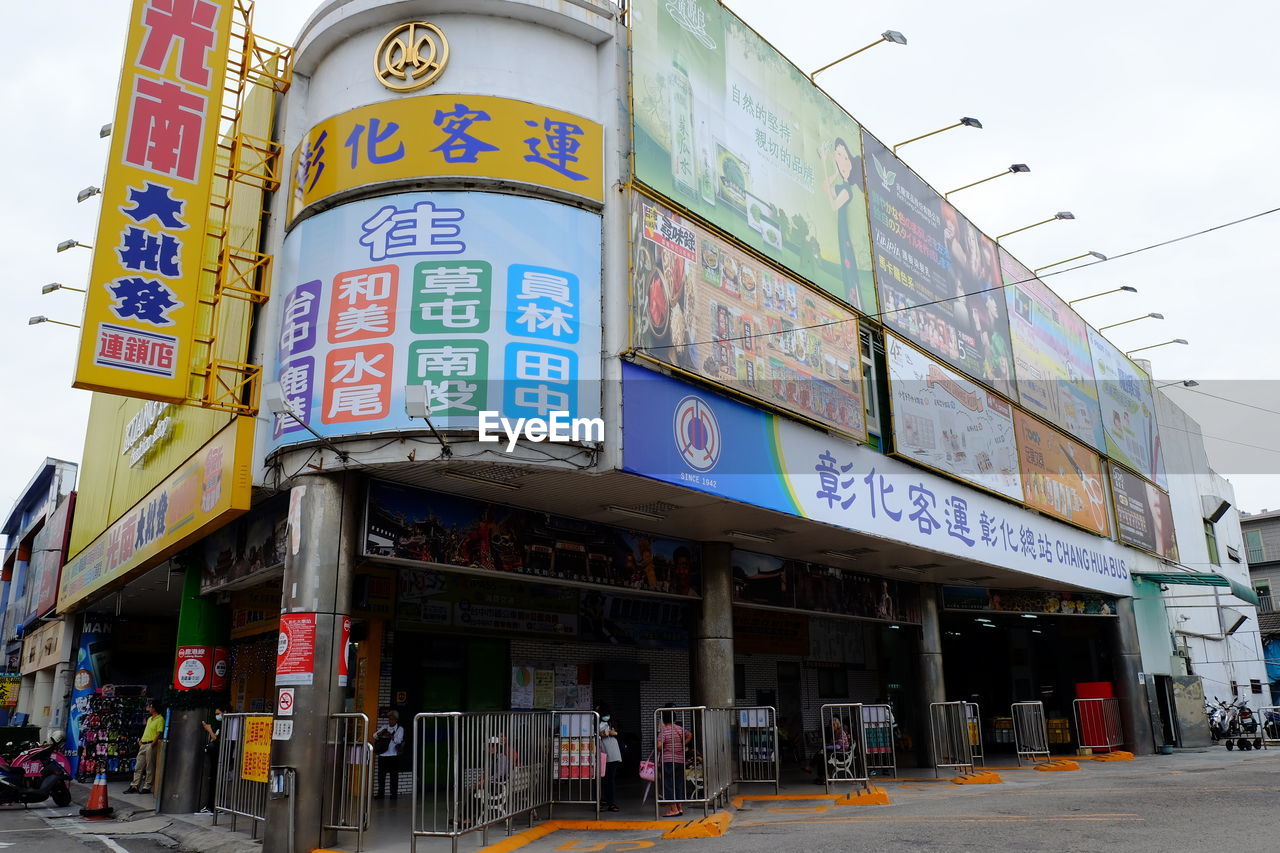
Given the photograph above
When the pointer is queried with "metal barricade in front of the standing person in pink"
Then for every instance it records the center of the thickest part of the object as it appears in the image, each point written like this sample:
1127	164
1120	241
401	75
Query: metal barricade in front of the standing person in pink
693	756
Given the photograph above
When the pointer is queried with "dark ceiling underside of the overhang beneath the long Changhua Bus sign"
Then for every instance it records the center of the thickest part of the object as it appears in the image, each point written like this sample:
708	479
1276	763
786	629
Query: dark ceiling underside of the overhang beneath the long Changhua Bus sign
689	514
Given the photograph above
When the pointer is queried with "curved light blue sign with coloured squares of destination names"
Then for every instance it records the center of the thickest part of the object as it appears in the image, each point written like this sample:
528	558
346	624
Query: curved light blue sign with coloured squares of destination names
490	302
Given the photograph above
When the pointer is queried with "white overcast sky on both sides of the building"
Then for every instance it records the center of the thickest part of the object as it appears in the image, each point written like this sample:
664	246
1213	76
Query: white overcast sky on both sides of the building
1148	121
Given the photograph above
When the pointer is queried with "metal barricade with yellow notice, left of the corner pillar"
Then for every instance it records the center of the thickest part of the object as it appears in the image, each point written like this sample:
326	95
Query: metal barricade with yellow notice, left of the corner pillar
244	764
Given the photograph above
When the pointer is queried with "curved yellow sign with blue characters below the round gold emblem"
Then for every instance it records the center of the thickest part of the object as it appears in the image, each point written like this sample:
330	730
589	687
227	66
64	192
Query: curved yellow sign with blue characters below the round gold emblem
476	136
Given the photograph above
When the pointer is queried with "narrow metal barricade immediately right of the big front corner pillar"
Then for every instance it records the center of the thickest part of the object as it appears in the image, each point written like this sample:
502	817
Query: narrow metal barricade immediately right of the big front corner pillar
350	784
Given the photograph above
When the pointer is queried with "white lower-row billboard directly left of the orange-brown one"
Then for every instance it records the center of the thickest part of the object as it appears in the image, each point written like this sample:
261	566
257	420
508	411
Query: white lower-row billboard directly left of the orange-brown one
950	423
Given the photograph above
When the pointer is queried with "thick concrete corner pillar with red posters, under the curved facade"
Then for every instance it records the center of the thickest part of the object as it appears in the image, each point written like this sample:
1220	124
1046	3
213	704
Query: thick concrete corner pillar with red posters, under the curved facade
319	559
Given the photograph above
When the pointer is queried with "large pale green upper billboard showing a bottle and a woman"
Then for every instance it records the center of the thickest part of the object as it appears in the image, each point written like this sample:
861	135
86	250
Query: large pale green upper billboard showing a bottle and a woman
734	133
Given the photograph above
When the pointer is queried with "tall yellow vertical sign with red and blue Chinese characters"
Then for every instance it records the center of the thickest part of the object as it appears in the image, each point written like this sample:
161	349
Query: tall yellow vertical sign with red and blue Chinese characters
140	314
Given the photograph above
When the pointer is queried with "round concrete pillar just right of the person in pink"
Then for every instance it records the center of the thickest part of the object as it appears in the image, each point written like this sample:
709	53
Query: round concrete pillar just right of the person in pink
714	638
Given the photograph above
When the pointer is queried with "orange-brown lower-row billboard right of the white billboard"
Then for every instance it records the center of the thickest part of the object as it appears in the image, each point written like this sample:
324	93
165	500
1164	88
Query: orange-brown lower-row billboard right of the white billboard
1062	476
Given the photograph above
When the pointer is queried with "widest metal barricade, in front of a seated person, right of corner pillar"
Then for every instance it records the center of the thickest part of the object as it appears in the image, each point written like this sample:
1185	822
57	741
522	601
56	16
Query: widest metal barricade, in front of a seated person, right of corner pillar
476	770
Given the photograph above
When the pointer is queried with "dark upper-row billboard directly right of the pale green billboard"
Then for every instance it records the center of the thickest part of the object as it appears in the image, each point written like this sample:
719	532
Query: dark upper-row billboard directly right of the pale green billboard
939	277
